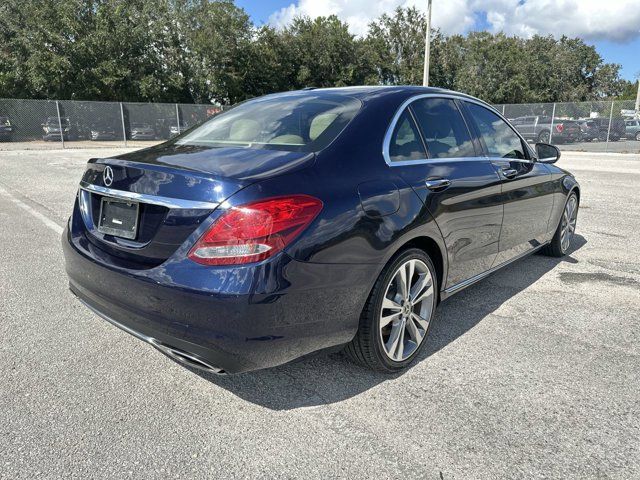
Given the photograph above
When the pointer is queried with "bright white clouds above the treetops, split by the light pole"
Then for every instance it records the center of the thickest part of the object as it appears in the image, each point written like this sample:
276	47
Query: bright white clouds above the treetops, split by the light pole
617	20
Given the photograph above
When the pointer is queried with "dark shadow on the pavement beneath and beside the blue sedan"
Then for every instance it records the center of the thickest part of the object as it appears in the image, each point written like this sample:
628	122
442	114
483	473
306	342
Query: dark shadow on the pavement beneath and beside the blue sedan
325	379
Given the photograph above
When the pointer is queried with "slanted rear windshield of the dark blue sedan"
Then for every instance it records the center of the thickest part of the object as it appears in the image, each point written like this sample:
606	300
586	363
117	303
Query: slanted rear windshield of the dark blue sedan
305	123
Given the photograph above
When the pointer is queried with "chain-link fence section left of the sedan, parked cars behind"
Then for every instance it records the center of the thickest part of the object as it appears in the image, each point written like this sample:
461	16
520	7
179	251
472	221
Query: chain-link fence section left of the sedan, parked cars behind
29	124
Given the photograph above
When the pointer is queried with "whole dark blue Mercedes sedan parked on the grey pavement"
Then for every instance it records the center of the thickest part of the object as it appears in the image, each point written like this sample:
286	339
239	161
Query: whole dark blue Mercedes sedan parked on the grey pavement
309	220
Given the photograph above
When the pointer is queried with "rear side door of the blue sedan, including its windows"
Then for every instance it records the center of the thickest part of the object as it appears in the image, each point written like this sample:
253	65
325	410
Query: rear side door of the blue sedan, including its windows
434	152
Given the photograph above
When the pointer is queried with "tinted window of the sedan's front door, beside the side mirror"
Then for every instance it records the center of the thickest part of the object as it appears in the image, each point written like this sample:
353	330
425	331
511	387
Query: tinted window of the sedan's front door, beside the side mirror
498	137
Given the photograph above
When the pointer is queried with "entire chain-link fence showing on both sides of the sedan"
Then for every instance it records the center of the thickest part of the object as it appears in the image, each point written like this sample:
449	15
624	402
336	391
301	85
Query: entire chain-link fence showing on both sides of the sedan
612	126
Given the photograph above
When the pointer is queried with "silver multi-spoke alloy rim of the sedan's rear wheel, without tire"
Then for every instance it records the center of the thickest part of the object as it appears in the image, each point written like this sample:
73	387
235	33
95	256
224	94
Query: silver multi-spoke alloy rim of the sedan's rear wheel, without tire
407	308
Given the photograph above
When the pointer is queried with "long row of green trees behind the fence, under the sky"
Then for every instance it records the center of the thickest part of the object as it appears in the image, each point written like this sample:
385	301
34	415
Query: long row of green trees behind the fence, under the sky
209	51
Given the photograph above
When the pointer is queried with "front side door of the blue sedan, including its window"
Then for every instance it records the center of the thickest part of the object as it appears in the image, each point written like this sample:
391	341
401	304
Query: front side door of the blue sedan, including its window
527	190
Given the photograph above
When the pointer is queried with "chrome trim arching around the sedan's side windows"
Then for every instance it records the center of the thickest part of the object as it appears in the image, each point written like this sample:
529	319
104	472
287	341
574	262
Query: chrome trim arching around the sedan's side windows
463	98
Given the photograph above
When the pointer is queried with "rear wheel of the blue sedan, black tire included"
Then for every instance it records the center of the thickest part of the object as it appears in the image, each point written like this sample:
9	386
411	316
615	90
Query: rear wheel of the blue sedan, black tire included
396	319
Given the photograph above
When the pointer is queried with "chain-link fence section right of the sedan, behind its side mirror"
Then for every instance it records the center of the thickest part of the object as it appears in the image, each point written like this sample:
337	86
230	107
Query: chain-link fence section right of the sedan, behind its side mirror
612	126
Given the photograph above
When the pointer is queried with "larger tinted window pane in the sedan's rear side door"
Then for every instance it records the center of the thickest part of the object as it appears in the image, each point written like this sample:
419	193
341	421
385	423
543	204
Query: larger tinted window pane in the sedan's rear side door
443	128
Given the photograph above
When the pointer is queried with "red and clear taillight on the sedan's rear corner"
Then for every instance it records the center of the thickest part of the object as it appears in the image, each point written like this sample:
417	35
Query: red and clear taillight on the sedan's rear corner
255	231
